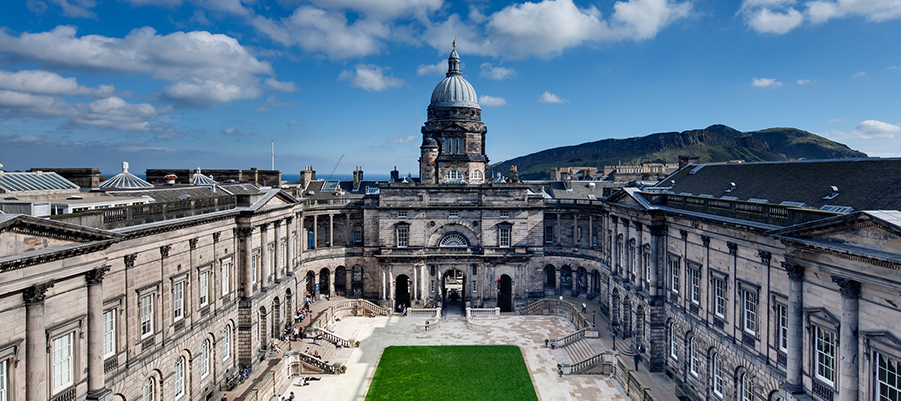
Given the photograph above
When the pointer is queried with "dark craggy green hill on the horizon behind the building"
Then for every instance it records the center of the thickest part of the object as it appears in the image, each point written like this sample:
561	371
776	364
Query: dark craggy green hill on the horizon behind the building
716	143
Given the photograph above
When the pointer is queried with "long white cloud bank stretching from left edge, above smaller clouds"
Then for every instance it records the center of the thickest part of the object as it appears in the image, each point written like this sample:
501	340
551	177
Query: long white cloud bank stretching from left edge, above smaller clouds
204	68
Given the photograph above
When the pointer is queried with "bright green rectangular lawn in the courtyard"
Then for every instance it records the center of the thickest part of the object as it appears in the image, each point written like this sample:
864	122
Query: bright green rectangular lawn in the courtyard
462	372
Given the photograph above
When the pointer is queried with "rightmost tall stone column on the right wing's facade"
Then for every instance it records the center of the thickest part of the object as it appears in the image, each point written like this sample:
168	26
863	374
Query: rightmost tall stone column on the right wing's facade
849	379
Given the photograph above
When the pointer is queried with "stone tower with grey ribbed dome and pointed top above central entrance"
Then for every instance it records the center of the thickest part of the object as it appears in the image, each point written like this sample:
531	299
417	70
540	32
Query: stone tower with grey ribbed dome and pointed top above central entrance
453	137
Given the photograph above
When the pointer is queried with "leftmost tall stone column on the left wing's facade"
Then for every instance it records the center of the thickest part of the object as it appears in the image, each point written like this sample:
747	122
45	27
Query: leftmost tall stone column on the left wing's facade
35	343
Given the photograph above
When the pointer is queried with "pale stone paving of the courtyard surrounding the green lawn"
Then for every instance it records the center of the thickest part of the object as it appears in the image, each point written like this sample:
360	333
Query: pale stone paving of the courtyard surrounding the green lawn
527	332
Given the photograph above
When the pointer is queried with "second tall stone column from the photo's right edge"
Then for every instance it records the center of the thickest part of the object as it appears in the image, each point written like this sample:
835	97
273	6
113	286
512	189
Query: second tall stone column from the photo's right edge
794	360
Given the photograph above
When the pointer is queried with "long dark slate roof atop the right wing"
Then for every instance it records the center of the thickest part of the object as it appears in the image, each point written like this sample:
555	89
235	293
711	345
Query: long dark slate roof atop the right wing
863	184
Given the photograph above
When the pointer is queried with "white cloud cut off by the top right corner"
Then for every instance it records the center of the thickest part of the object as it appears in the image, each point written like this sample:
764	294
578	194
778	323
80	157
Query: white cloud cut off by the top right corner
781	16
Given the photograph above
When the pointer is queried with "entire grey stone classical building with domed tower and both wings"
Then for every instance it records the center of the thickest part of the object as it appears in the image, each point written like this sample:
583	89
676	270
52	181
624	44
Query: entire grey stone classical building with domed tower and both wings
754	281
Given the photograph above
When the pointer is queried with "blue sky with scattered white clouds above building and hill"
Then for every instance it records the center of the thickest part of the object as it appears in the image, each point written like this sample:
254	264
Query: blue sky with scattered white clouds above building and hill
336	84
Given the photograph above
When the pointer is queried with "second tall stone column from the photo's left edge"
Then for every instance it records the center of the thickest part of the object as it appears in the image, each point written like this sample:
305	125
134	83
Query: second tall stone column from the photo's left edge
94	280
